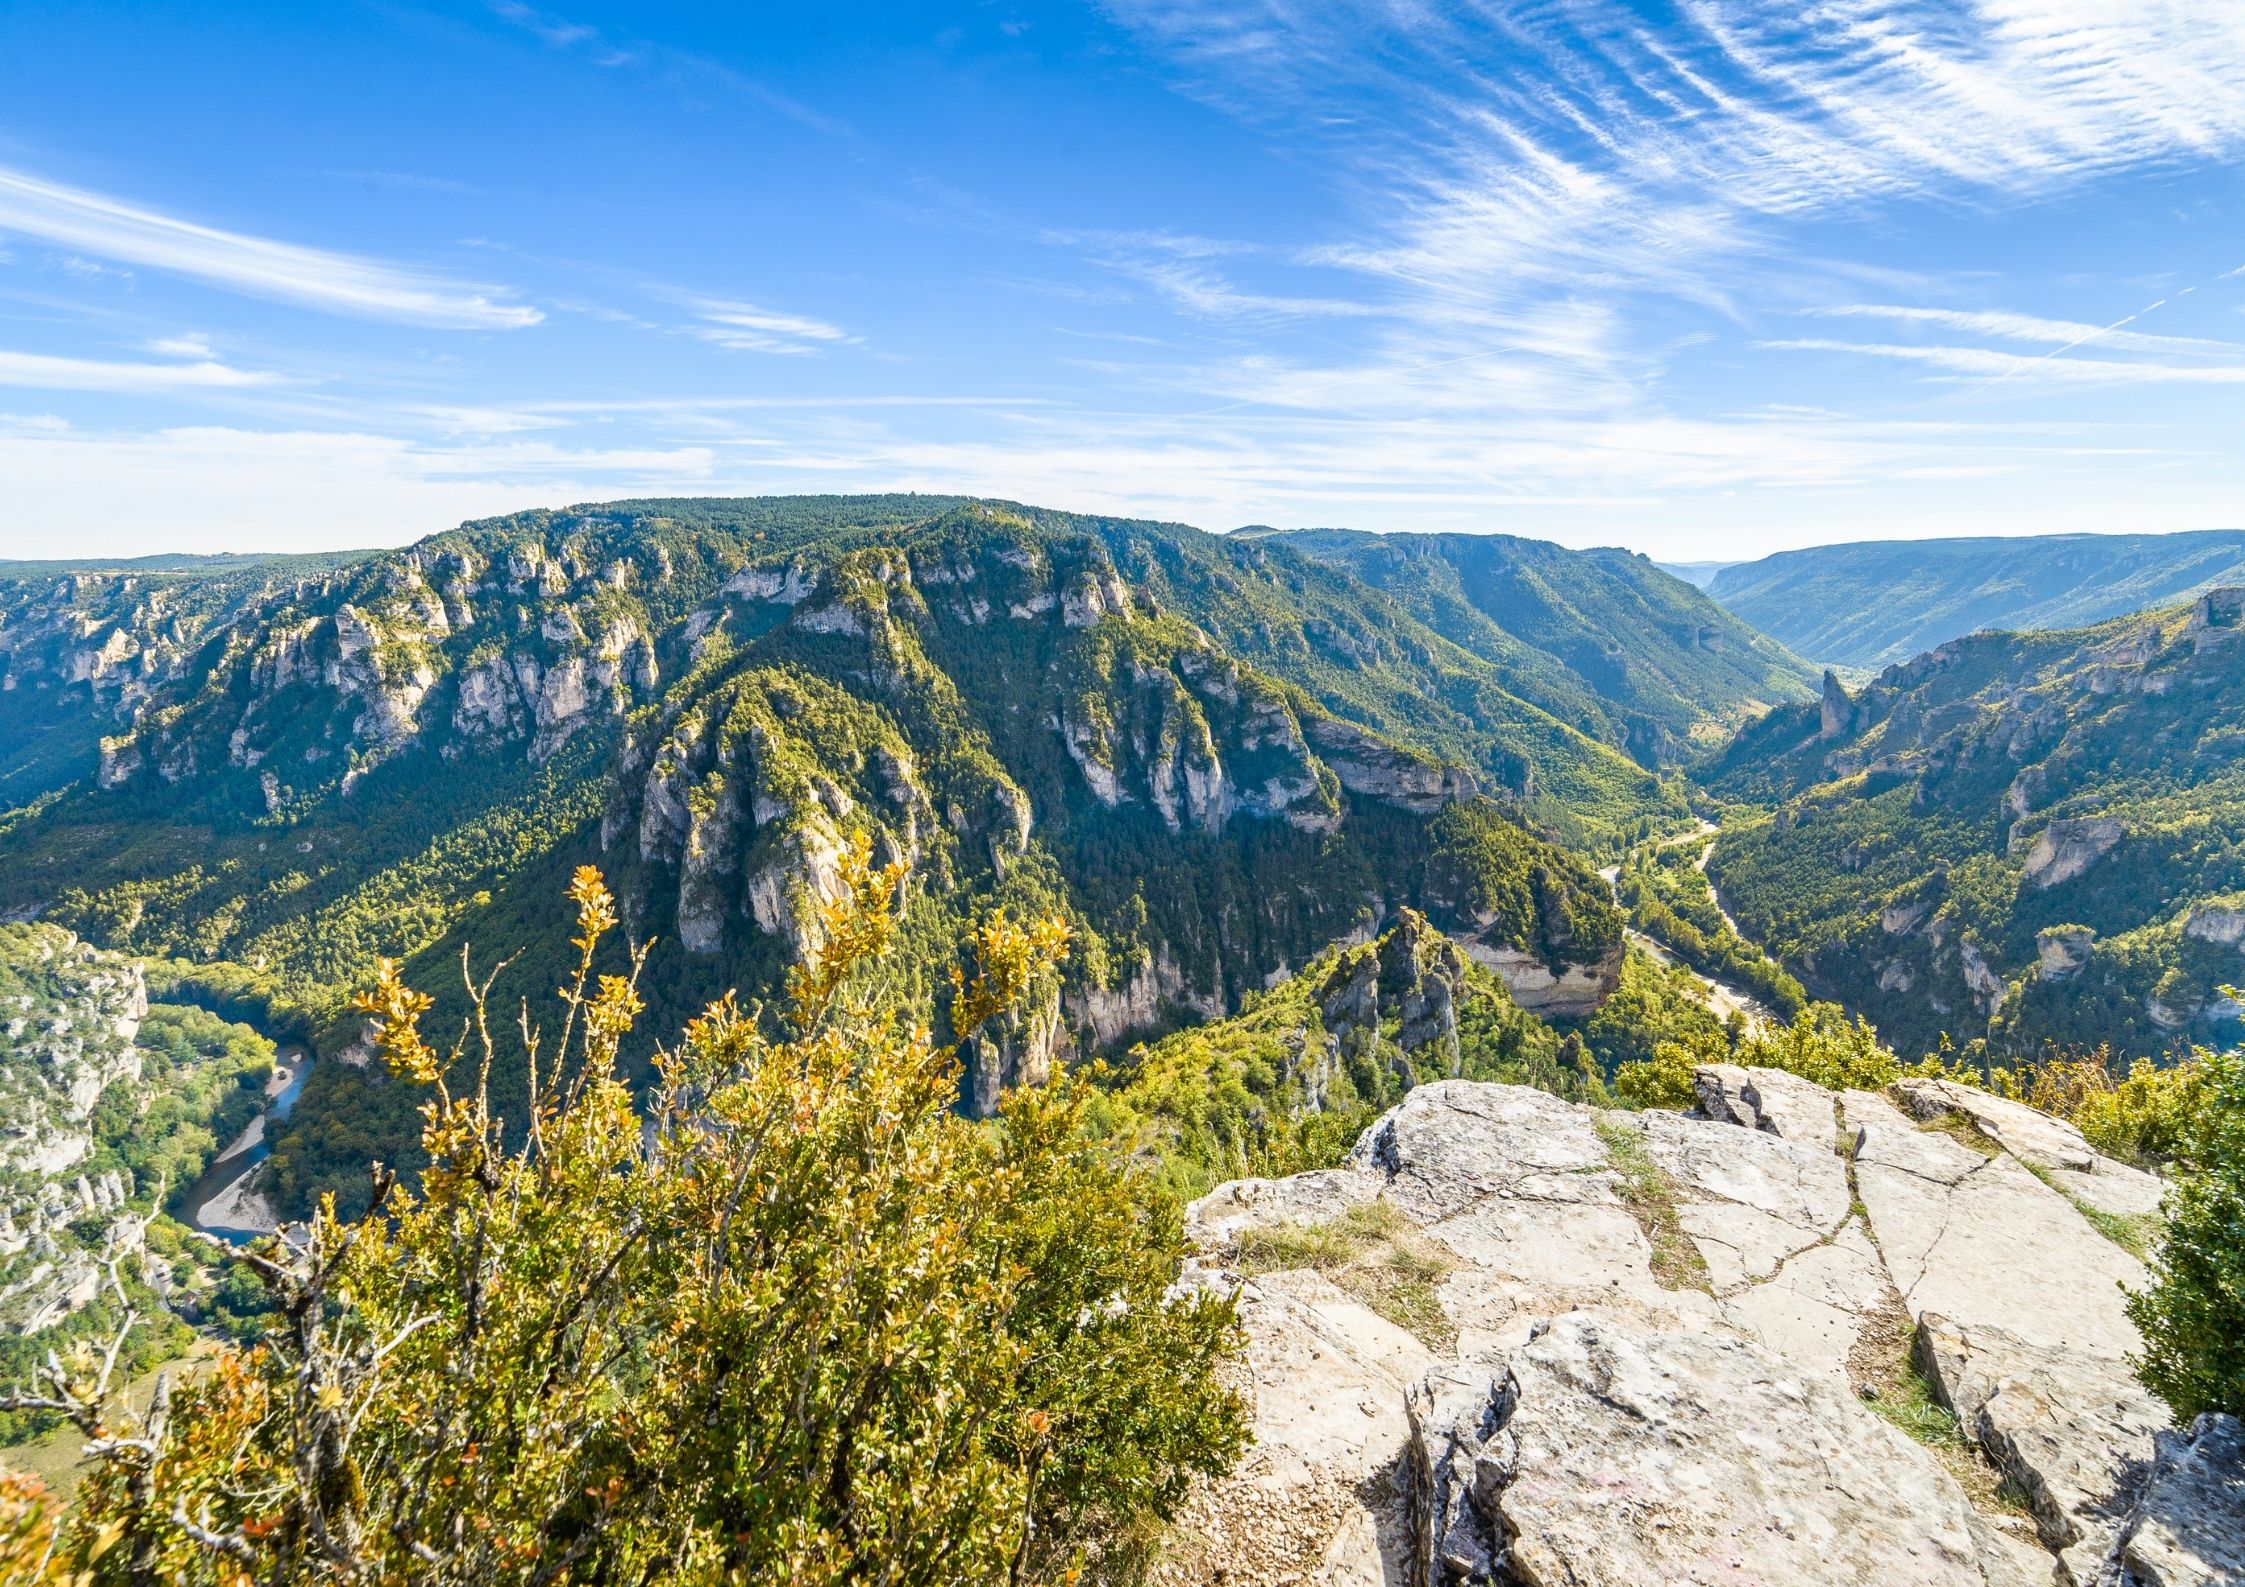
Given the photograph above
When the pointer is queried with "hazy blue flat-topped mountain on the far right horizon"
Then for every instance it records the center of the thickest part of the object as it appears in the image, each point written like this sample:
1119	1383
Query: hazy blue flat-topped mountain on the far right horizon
1880	603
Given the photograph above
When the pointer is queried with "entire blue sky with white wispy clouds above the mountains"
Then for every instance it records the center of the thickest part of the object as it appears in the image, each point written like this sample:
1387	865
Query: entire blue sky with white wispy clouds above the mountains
1707	277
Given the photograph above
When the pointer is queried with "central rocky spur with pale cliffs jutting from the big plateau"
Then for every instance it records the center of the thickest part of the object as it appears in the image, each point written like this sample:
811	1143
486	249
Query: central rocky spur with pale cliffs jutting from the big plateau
984	706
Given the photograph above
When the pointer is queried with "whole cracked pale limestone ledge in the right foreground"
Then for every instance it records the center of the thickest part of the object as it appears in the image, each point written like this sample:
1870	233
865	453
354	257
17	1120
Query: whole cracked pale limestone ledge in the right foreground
1658	1337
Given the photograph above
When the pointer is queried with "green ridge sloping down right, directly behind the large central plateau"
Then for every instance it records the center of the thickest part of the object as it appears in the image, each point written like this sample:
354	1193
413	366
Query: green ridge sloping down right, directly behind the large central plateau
1602	639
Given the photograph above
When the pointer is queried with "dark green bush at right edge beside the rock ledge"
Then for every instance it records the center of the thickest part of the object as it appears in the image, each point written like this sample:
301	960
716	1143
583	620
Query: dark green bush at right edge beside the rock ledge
2194	1312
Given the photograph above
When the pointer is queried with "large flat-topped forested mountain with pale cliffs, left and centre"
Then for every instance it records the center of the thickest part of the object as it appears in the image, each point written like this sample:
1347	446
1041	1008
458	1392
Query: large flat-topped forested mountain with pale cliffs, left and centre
1213	758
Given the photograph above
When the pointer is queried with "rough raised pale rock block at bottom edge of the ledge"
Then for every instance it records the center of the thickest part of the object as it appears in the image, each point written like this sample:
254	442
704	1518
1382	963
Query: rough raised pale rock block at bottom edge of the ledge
1606	1451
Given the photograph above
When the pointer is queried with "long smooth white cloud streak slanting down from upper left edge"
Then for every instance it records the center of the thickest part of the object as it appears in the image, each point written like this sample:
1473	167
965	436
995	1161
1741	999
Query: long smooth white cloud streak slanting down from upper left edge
340	284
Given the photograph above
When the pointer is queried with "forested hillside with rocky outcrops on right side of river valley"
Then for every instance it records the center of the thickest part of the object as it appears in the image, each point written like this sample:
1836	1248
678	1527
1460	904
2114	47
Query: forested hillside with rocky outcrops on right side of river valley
2026	838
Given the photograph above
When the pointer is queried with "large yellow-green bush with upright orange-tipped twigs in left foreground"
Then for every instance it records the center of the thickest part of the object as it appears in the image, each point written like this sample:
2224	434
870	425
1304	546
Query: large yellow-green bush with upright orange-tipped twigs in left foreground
805	1325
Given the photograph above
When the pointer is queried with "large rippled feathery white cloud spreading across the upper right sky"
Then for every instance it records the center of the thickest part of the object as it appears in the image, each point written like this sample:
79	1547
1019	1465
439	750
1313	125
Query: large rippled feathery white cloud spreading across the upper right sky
1528	160
